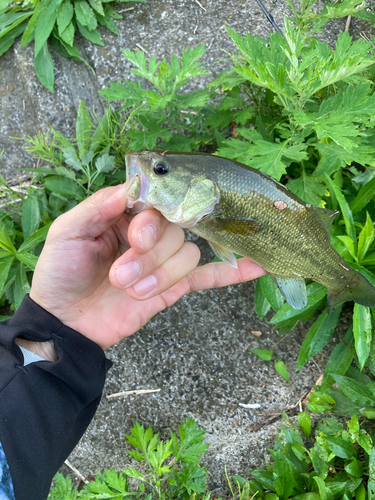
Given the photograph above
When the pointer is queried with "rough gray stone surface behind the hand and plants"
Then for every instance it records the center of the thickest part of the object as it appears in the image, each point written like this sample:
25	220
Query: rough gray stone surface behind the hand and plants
197	355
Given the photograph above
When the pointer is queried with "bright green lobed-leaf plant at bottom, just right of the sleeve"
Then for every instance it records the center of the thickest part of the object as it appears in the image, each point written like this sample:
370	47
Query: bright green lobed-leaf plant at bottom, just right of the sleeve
173	469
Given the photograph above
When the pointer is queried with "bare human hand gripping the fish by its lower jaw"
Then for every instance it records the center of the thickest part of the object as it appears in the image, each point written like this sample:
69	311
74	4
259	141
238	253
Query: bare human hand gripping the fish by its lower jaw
105	273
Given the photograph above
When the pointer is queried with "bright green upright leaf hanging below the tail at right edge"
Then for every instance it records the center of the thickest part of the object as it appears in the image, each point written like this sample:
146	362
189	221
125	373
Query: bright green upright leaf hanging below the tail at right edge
362	331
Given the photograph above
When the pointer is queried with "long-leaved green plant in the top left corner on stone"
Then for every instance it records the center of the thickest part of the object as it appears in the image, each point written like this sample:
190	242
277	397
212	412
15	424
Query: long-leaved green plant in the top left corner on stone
57	21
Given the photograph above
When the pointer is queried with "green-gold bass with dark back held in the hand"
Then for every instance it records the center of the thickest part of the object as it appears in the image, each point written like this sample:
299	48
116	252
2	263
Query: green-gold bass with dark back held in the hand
240	210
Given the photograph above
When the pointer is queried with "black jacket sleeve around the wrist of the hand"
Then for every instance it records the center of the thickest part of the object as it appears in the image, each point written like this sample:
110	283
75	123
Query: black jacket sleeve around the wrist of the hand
45	407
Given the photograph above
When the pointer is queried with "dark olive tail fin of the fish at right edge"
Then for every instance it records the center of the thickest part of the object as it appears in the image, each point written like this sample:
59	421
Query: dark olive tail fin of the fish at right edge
359	289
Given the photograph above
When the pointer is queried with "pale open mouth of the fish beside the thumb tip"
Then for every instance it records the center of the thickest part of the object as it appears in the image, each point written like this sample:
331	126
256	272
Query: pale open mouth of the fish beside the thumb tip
137	185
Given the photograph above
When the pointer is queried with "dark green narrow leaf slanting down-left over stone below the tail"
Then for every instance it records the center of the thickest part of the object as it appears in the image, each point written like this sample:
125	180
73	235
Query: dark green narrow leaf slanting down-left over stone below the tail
318	336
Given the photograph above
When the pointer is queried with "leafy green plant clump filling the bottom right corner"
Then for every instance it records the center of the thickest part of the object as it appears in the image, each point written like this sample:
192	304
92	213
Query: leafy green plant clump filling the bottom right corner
339	465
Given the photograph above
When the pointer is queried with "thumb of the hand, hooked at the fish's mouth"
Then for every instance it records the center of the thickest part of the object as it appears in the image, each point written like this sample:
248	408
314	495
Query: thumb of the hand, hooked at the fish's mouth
93	216
